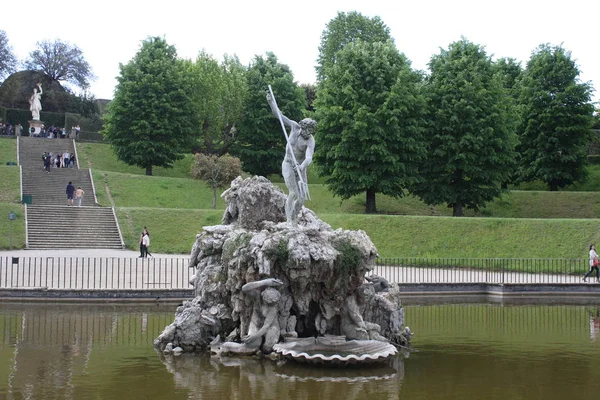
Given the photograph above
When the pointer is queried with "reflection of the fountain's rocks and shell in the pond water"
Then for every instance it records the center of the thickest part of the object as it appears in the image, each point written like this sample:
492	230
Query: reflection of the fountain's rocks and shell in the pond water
265	379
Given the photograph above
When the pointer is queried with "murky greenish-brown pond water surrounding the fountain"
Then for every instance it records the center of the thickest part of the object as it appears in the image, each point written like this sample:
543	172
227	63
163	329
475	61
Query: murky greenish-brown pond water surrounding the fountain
461	351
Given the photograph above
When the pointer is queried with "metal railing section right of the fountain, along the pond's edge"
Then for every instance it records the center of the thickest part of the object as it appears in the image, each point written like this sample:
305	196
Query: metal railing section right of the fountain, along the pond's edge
482	270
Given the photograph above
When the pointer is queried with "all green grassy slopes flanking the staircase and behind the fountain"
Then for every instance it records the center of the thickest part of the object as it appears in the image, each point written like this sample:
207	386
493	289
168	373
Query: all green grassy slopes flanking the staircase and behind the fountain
525	223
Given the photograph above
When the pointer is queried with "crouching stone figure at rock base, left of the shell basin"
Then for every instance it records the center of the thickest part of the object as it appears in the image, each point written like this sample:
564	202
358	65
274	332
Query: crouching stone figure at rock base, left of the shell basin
264	322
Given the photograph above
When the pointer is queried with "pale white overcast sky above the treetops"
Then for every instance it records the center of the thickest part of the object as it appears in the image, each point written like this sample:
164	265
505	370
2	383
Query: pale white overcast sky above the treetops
110	32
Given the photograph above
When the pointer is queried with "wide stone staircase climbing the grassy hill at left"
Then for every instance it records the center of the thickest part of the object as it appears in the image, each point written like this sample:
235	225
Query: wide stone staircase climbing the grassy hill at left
51	224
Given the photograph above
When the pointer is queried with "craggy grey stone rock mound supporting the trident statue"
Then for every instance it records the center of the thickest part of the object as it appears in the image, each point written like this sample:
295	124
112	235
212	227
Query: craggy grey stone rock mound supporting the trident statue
256	273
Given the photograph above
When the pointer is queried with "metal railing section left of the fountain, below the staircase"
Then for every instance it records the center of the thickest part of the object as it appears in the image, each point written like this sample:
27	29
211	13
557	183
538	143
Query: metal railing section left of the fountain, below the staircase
78	273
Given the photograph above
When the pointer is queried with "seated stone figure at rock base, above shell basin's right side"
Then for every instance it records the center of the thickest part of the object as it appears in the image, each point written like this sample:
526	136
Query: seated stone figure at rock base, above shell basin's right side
353	326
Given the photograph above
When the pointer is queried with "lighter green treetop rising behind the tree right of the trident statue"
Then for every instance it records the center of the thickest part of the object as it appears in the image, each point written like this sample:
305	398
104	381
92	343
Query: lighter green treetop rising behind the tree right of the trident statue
343	30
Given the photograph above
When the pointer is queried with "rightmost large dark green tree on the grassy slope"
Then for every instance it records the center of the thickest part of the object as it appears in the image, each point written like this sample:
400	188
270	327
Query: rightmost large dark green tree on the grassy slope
556	119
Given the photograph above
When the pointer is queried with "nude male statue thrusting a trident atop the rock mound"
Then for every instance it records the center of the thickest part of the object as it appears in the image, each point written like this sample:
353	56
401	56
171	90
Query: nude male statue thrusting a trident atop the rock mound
298	156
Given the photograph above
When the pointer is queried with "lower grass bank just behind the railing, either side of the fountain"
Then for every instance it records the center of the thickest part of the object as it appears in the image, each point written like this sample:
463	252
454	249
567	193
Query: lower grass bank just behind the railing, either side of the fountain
174	230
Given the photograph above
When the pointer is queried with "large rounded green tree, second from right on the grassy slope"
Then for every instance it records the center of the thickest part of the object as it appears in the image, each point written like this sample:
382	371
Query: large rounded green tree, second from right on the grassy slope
471	138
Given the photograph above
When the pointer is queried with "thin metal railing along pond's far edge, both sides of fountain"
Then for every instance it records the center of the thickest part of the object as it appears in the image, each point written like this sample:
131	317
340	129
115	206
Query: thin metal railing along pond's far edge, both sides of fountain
173	273
